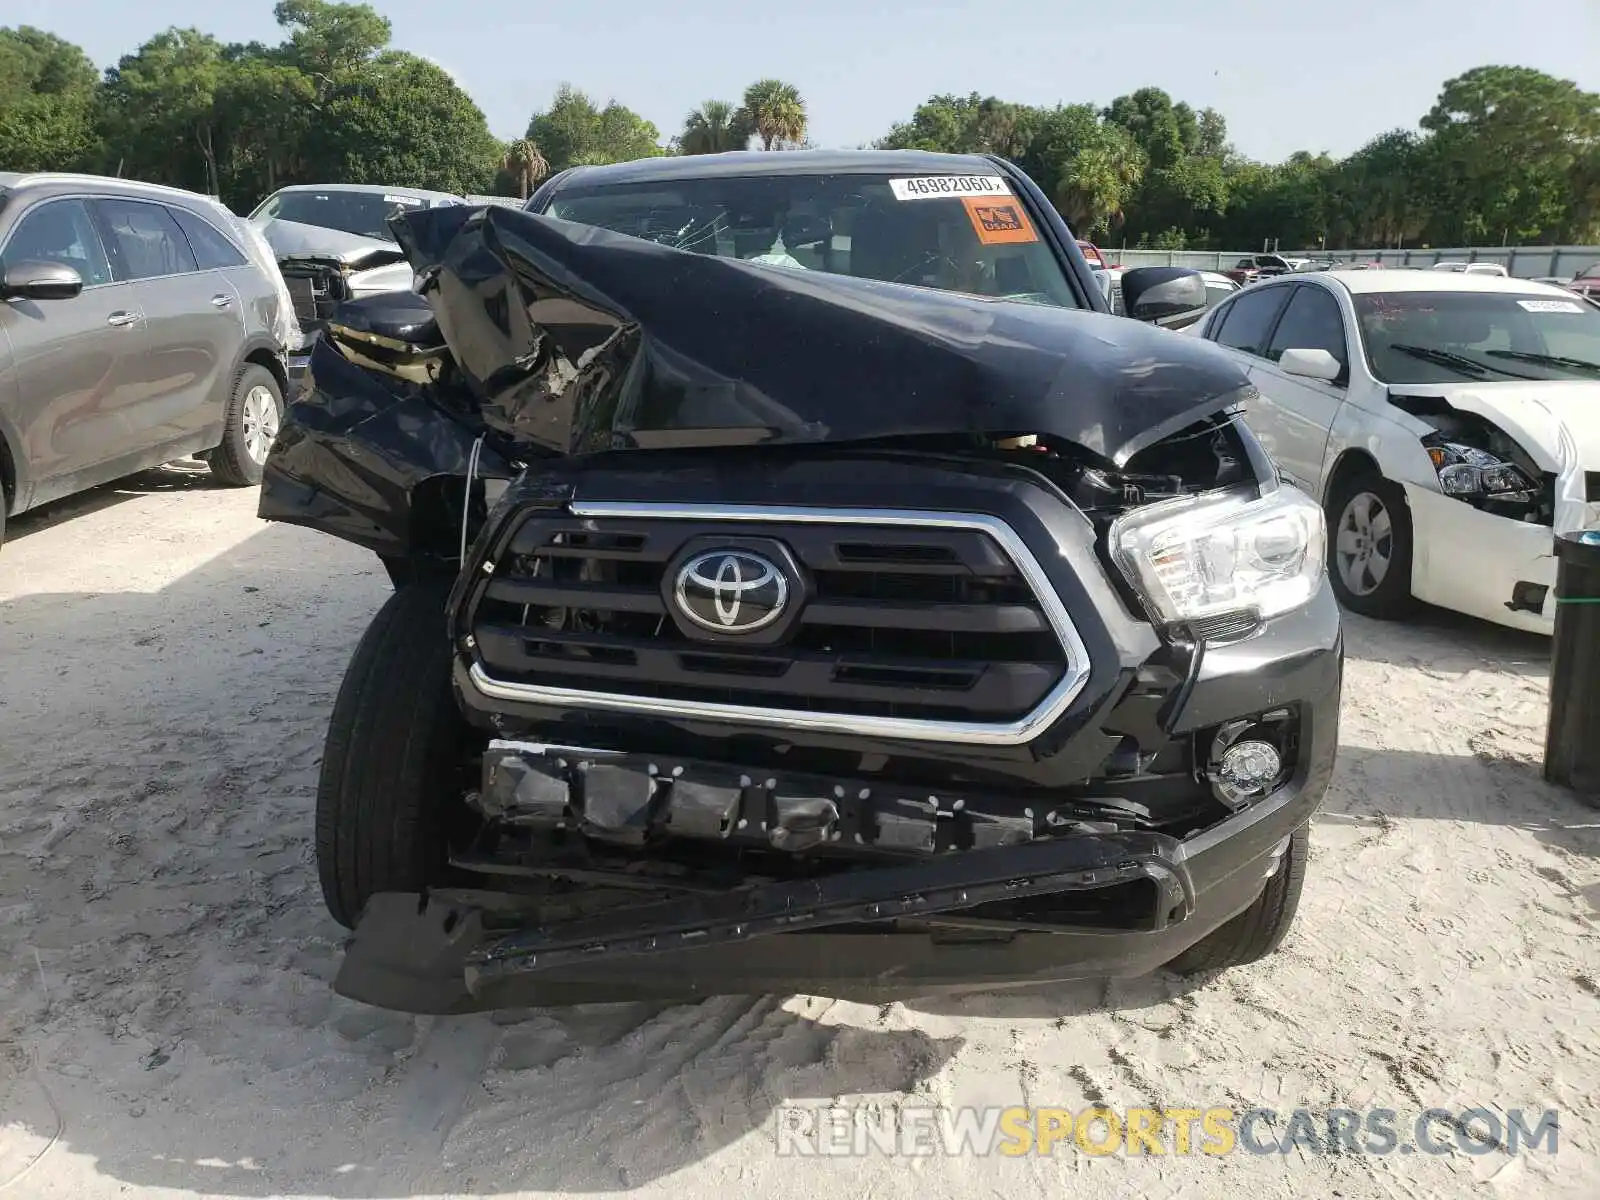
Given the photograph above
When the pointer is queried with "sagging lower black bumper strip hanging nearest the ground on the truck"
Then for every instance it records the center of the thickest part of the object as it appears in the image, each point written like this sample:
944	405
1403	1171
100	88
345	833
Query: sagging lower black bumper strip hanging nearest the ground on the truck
460	951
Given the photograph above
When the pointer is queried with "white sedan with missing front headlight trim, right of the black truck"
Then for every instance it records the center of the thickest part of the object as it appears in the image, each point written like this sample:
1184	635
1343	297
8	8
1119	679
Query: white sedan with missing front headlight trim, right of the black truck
1449	423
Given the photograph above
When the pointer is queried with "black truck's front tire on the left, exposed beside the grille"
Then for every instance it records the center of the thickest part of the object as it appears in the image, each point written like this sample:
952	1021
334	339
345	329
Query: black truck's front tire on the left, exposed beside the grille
391	796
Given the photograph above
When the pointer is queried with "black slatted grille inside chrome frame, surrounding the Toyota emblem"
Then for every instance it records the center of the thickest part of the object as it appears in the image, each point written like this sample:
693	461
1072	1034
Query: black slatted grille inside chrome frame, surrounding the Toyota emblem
914	623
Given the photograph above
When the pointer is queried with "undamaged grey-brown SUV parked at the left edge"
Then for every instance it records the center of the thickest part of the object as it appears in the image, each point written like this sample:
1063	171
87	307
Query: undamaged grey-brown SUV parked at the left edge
138	324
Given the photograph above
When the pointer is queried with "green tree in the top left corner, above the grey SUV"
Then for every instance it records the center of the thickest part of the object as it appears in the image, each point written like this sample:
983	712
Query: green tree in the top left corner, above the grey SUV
47	103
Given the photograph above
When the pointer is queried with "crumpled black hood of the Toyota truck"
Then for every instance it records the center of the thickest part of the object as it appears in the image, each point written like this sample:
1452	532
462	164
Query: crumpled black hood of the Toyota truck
577	340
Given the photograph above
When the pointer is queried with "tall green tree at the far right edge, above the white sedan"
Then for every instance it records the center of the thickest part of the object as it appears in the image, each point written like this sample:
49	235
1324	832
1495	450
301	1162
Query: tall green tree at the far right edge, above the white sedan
1506	143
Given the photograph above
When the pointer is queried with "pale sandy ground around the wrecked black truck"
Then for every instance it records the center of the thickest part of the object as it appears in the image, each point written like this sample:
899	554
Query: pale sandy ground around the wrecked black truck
167	665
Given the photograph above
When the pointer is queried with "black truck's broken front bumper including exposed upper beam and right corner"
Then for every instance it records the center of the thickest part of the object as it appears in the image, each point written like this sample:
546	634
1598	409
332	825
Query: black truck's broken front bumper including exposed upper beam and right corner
969	894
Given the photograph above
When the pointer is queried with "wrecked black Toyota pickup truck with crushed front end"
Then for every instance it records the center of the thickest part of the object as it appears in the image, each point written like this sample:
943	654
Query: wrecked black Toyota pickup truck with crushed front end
802	583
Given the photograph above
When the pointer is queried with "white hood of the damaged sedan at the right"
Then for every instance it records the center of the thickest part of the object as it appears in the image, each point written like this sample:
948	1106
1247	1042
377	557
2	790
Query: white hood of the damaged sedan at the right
1534	414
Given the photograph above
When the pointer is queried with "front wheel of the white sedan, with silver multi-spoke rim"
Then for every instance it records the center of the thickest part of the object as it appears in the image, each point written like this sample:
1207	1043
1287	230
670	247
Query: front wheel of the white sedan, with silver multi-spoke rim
1370	546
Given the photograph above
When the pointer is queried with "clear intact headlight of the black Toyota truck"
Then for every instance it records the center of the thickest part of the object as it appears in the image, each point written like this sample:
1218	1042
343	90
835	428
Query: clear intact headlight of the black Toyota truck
1207	556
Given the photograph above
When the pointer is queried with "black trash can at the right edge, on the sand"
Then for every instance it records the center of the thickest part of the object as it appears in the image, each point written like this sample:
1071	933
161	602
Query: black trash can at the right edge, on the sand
1572	743
